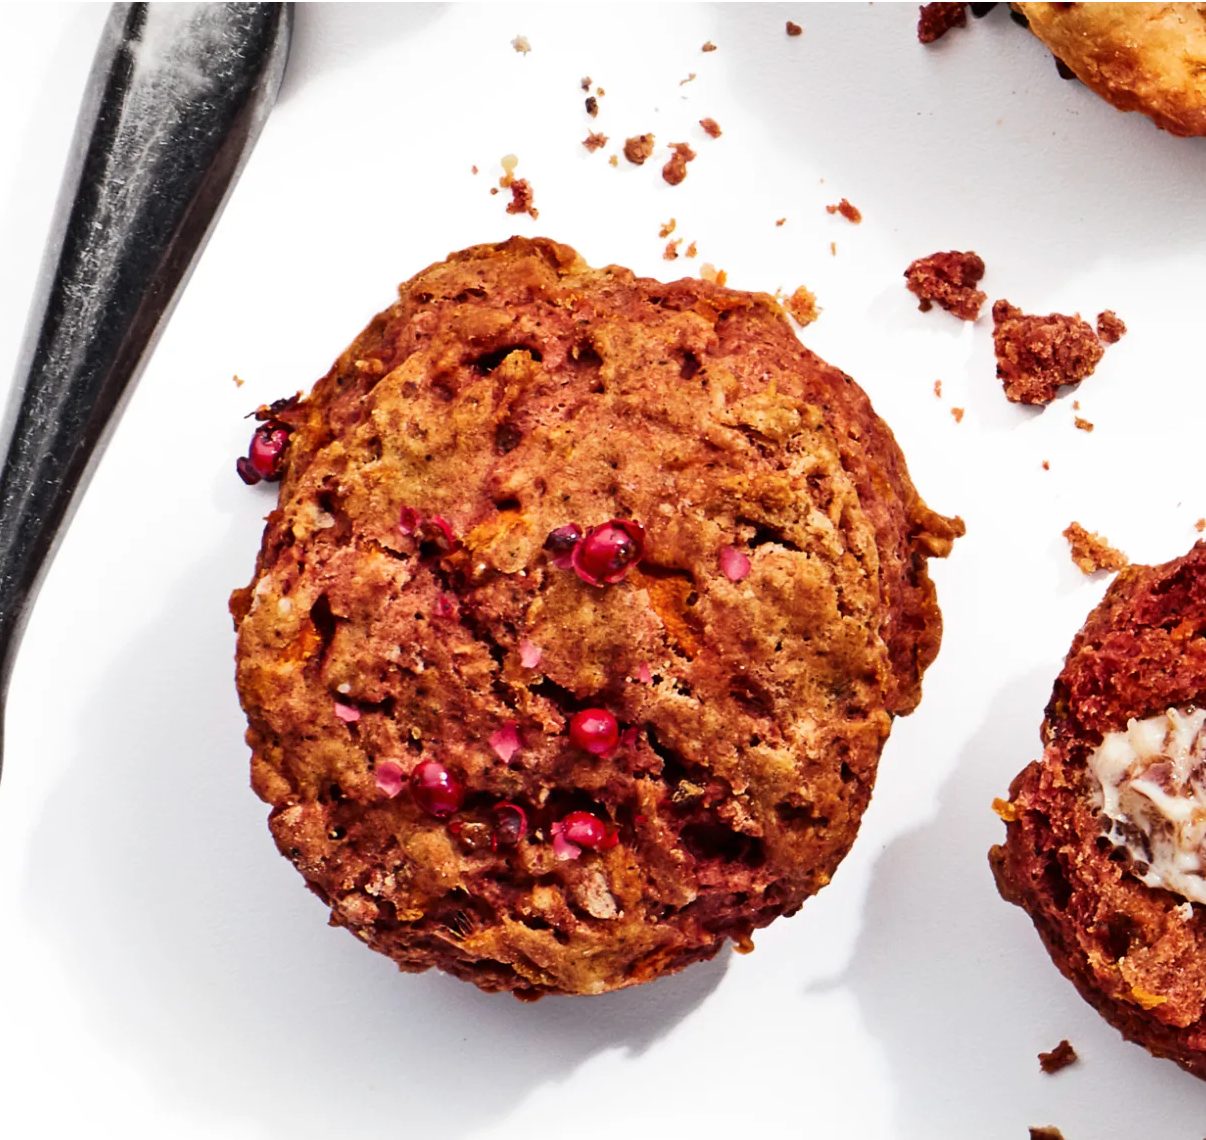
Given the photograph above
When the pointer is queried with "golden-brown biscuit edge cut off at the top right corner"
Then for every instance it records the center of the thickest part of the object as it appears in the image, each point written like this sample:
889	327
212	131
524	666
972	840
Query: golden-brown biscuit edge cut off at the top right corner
1140	57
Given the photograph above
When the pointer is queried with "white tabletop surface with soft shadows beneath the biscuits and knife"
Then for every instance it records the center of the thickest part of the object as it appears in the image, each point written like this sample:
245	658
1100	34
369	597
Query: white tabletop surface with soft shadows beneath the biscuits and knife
162	971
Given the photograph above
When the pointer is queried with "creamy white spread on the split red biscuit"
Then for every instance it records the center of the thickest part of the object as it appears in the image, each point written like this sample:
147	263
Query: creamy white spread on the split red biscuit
1151	786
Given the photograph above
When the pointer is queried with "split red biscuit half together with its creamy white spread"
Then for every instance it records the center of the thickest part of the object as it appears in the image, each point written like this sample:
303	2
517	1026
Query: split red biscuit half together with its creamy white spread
1103	834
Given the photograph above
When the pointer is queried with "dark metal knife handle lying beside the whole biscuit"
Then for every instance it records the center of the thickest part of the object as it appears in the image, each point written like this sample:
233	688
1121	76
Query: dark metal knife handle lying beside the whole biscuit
175	102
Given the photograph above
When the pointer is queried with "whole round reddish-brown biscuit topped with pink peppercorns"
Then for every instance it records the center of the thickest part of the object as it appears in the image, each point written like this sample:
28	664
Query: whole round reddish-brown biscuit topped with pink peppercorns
576	638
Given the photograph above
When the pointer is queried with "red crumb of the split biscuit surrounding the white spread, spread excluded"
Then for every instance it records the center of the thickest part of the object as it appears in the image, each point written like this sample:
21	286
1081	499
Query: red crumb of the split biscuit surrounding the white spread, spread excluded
1132	950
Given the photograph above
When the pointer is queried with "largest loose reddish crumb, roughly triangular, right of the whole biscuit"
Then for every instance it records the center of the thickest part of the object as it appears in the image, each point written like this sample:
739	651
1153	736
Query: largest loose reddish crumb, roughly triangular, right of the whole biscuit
1037	355
